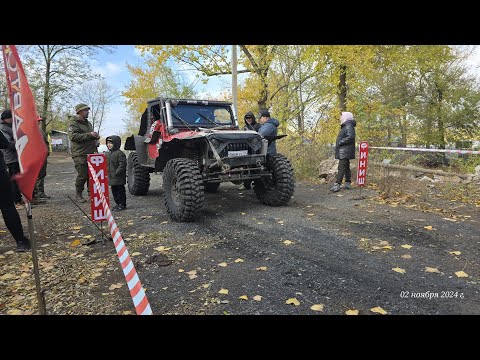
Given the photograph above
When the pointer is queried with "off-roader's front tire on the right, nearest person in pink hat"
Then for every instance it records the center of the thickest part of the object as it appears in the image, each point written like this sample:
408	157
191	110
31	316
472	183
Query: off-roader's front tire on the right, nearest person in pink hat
278	190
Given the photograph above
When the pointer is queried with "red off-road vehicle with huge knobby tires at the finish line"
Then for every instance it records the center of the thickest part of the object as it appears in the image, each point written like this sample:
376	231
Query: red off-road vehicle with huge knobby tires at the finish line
197	145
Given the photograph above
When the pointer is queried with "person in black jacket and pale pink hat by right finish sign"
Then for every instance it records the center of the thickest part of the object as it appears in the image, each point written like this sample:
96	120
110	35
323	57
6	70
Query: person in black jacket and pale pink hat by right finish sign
345	150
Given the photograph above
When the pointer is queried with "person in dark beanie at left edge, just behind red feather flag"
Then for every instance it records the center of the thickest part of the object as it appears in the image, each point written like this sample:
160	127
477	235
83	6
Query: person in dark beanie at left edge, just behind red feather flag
10	153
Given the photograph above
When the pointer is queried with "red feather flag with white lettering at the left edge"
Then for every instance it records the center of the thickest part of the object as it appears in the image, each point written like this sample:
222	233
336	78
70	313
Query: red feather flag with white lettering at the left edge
29	143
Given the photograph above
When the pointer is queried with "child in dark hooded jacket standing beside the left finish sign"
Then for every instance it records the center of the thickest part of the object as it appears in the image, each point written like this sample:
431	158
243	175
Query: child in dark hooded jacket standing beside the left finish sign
117	171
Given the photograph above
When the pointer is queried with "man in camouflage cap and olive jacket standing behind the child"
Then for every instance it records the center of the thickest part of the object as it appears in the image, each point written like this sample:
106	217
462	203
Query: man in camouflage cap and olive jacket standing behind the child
84	141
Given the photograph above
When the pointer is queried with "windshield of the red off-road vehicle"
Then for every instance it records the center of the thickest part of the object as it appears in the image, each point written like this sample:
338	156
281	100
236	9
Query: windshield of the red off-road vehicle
200	115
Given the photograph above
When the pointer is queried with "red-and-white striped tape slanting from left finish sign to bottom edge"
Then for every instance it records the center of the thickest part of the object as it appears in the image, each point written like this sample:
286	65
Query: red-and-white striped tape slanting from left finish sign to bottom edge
137	293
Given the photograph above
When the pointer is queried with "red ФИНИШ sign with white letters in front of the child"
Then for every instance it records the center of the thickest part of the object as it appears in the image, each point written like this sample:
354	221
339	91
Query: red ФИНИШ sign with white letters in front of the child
99	164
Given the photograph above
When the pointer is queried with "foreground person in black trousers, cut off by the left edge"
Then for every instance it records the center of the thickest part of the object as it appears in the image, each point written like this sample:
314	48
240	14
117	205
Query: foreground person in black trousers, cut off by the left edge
7	205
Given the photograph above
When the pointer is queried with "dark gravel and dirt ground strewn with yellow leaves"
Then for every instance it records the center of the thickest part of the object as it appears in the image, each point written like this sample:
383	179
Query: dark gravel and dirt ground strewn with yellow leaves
324	253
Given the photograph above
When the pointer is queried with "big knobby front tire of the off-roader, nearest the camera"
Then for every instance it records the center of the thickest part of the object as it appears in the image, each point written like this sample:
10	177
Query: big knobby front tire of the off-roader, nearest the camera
184	191
